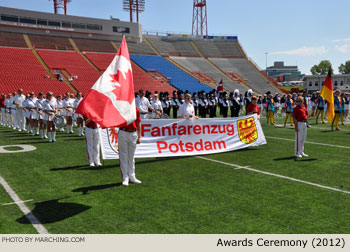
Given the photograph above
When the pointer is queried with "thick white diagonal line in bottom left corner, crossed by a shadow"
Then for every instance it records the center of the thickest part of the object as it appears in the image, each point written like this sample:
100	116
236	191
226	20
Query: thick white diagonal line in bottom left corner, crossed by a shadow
28	214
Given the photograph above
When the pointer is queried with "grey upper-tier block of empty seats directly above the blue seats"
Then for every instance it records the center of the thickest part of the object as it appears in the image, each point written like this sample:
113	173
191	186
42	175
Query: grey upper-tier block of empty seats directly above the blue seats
172	47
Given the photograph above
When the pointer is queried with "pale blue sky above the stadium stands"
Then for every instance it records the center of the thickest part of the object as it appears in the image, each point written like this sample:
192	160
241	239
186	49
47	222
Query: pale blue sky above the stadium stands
298	32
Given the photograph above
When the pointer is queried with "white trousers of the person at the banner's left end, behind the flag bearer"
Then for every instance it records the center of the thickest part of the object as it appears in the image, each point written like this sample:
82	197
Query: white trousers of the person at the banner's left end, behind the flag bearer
93	145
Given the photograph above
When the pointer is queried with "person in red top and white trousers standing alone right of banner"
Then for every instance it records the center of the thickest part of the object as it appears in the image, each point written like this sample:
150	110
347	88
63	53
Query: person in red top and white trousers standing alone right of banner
300	121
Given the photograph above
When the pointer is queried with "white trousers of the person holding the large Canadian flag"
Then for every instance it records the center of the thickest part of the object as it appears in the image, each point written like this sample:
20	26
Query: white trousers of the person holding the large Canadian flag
127	146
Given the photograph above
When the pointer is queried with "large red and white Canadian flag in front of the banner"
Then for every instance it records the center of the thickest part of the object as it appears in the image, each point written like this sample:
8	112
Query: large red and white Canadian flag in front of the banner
111	101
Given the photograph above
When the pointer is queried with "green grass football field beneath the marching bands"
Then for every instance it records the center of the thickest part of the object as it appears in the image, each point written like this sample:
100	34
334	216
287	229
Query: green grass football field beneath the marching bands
254	190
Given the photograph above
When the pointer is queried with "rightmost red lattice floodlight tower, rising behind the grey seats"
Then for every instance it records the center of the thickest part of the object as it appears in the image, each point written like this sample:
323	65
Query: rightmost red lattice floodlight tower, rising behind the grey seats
199	20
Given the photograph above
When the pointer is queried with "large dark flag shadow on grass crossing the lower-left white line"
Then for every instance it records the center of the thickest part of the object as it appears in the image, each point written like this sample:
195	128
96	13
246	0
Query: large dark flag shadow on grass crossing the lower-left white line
52	211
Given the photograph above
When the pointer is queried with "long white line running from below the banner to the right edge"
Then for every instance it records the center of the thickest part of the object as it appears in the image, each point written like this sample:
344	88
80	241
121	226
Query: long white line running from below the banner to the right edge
276	175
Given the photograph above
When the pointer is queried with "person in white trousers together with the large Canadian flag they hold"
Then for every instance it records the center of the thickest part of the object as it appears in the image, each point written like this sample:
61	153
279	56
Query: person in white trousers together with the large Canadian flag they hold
111	103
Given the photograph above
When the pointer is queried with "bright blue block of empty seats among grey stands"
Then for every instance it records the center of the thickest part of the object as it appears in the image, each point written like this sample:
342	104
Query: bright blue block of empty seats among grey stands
178	78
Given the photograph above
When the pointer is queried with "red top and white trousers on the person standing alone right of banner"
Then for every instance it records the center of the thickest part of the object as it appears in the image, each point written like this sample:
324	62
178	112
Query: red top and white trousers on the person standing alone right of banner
299	113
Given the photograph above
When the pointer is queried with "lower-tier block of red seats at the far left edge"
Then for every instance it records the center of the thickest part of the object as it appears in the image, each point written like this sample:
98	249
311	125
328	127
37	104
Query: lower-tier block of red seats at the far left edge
21	69
